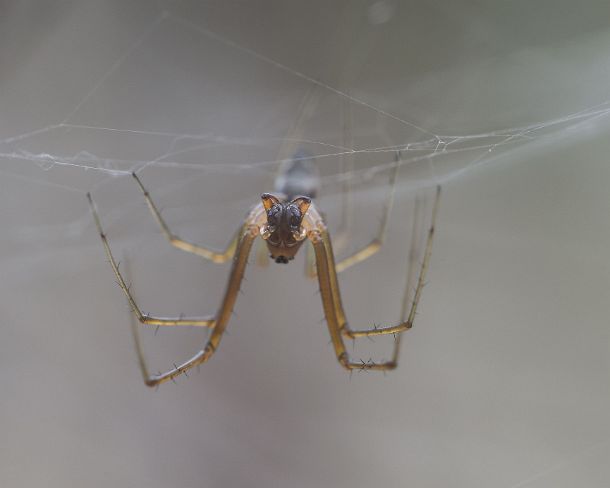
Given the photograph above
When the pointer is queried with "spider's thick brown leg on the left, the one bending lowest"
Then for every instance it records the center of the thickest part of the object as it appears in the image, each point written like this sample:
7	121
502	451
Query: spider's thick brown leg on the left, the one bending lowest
240	262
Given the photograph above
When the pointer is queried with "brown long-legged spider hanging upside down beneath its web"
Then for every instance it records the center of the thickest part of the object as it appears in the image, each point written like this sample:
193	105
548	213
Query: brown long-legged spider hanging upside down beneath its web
284	220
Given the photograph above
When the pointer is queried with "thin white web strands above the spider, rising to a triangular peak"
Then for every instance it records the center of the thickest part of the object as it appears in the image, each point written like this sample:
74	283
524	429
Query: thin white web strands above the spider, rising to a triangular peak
475	149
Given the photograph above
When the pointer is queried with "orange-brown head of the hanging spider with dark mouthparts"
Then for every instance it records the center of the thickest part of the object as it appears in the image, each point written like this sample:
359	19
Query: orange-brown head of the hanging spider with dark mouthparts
283	231
